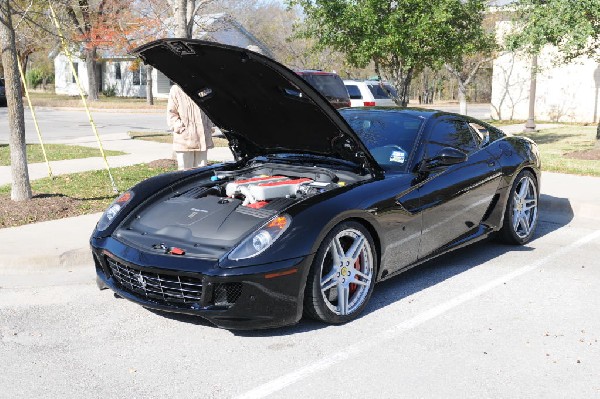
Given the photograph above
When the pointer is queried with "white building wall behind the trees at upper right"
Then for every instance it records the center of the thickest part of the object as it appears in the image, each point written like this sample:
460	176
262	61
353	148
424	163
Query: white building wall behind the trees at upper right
566	93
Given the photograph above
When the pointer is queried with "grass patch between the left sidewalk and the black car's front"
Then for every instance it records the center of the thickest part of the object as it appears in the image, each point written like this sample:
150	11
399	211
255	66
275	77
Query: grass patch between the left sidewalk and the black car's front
93	188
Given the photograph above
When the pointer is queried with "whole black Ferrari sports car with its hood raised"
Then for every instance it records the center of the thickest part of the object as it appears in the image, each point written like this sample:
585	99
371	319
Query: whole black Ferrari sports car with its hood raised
318	206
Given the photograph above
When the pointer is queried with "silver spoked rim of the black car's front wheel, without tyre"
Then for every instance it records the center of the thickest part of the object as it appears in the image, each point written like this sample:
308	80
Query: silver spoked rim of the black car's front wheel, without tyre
346	272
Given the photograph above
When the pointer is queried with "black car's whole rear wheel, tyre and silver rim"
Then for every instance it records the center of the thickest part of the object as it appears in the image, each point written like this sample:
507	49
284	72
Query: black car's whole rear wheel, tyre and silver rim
521	215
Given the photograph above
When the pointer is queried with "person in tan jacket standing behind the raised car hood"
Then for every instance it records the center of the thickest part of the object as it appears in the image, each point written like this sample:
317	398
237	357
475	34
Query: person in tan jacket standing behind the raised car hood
192	130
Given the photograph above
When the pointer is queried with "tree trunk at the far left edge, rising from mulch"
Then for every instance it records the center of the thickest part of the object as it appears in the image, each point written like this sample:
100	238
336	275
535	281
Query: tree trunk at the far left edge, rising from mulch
20	189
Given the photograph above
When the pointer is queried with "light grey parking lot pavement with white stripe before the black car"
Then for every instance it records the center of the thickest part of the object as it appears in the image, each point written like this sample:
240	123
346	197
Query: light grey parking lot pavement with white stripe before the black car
486	321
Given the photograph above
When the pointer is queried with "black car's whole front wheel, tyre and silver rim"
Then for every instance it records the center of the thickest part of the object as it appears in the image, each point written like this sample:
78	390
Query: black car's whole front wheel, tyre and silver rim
342	276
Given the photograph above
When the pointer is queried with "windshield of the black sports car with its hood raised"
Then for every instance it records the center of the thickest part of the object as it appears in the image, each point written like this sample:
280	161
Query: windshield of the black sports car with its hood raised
388	135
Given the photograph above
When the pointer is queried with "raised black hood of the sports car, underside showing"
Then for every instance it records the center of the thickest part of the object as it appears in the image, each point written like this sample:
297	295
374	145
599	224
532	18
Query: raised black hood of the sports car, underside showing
262	106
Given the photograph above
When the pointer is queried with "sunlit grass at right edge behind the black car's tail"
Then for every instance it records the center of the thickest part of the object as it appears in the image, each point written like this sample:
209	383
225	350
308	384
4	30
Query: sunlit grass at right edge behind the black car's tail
556	144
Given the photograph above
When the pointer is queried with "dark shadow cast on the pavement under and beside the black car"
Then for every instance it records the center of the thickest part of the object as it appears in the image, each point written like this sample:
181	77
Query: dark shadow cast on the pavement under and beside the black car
555	213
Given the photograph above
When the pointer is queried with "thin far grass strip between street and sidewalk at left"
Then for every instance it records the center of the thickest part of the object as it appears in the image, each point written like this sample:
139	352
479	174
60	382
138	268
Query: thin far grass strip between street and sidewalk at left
55	152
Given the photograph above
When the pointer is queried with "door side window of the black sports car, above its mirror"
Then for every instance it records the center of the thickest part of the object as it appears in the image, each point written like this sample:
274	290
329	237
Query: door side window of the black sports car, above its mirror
450	133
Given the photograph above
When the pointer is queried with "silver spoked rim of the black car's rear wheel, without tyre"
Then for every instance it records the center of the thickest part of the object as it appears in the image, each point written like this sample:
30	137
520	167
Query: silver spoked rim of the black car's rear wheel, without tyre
524	207
